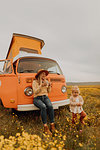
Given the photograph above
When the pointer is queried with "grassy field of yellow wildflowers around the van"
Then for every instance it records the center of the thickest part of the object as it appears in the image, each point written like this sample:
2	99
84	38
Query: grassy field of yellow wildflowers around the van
24	130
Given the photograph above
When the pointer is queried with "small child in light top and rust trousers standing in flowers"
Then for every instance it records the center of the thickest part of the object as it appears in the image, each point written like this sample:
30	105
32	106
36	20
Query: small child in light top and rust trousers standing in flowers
76	102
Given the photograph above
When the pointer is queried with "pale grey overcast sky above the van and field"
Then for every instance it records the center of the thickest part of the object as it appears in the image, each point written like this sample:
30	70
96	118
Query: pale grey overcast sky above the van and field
70	29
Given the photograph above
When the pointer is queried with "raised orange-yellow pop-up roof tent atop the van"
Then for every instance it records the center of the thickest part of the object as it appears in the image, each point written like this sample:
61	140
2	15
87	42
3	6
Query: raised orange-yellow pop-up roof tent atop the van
24	43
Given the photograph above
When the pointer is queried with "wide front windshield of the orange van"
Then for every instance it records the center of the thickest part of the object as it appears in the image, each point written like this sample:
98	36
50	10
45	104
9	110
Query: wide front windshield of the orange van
32	65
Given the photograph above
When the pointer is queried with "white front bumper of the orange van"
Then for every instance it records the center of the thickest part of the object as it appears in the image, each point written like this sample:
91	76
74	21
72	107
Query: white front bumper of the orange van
30	107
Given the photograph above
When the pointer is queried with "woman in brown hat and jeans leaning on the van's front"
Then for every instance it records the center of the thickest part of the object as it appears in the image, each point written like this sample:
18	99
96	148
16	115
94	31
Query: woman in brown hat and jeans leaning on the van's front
41	88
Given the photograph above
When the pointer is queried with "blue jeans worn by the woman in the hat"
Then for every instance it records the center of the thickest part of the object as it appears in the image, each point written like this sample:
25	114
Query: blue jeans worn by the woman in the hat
44	103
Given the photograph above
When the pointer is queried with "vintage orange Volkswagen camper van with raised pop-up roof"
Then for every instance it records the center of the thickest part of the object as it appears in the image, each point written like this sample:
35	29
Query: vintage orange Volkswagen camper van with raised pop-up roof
18	70
